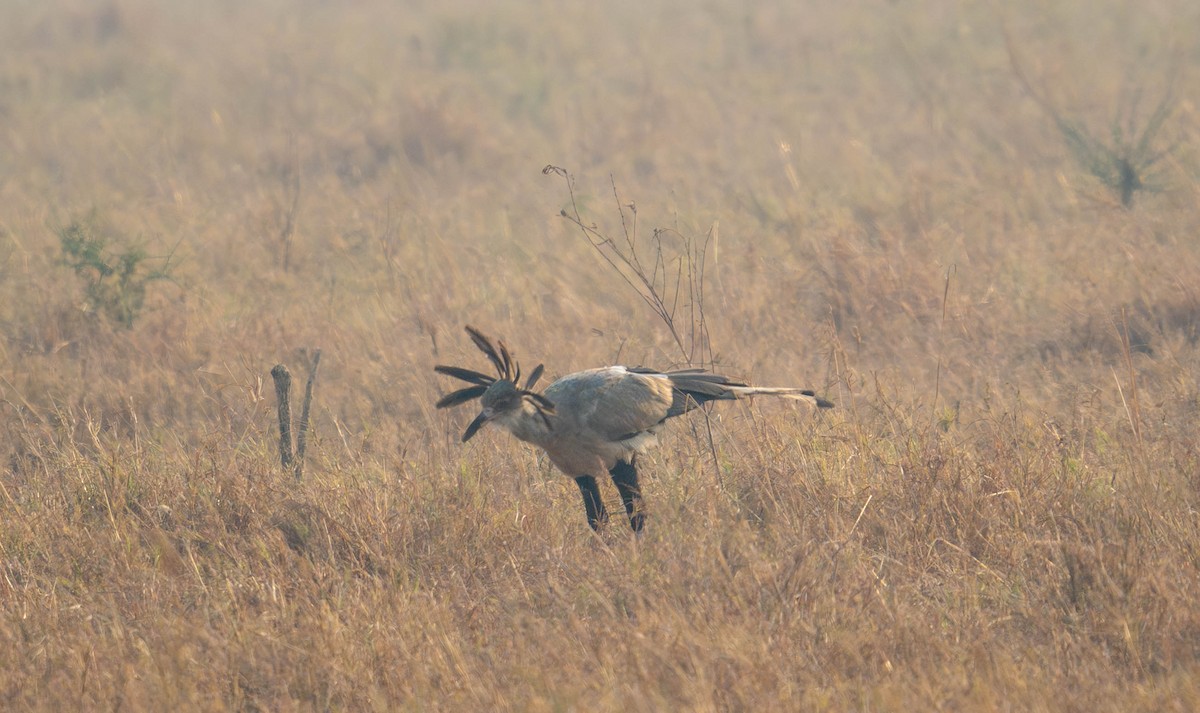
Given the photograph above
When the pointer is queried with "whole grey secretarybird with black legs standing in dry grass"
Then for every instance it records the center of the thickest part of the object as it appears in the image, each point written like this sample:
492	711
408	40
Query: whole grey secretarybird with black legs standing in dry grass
596	421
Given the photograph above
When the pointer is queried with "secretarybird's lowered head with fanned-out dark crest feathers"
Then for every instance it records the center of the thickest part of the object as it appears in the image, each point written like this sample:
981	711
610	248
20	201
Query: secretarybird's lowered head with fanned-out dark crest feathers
497	397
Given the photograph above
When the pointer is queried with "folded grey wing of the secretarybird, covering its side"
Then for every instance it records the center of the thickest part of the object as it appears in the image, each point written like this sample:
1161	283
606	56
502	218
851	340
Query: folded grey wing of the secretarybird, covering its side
613	404
